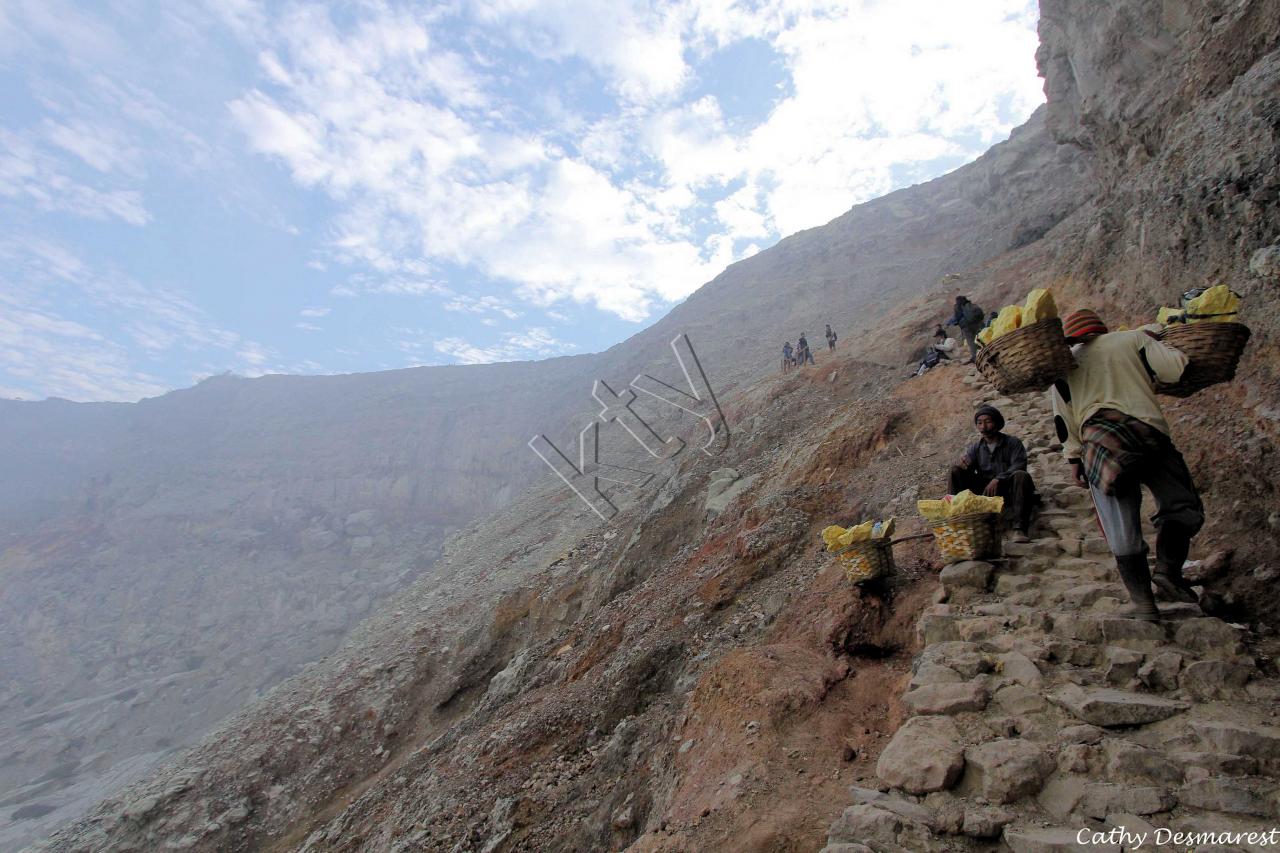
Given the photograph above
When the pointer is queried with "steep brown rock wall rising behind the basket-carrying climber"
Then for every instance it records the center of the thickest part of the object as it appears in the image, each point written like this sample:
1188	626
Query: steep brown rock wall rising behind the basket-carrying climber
1177	104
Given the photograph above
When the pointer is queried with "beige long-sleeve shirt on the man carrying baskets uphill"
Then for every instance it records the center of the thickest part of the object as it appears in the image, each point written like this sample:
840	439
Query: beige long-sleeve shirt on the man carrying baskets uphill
1116	371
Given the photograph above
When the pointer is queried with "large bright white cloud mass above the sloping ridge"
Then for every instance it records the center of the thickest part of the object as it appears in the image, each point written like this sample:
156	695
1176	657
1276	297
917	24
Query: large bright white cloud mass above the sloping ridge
441	156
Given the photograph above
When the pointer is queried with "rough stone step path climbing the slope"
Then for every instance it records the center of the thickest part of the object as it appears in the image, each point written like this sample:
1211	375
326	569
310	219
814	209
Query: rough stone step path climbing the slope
1044	720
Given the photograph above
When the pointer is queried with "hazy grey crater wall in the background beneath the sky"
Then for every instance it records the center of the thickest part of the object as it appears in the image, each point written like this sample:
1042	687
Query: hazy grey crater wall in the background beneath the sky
275	514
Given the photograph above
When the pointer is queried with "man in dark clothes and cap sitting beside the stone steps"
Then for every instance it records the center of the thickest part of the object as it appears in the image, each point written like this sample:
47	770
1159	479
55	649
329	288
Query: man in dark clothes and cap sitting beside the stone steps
996	464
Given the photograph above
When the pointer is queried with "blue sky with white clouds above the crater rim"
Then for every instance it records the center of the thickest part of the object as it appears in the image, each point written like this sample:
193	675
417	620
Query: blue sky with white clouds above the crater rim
198	188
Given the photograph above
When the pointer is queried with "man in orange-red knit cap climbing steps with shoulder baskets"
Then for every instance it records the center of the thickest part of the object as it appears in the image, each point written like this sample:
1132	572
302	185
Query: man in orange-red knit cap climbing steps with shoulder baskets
1117	440
